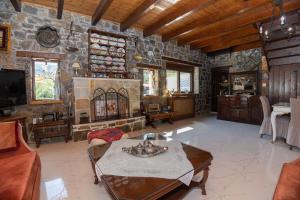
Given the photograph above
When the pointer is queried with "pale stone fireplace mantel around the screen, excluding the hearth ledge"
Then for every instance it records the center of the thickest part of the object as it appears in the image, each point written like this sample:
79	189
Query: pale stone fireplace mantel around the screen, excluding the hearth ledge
84	88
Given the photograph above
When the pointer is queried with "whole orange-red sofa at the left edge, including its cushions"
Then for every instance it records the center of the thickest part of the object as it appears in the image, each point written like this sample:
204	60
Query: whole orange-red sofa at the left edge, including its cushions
20	166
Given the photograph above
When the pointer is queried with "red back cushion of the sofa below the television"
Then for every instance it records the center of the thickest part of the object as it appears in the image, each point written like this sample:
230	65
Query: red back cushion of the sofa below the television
9	136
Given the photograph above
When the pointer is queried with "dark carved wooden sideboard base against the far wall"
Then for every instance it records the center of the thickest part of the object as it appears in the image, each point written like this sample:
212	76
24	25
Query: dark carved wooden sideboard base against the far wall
240	109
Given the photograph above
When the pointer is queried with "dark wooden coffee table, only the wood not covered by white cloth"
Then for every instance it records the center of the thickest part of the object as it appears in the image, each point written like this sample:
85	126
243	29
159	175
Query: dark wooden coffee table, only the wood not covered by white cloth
145	188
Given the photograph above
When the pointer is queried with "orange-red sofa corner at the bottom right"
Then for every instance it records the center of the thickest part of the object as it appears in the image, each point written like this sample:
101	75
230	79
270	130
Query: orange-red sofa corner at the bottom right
288	186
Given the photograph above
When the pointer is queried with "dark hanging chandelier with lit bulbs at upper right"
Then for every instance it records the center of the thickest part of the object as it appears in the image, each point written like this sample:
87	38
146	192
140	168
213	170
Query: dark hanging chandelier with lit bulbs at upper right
288	30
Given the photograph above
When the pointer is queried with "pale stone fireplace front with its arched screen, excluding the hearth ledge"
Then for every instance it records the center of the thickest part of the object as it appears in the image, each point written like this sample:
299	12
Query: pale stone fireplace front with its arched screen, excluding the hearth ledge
105	99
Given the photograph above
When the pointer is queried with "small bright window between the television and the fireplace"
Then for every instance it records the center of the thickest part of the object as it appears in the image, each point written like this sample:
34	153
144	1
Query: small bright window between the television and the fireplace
46	81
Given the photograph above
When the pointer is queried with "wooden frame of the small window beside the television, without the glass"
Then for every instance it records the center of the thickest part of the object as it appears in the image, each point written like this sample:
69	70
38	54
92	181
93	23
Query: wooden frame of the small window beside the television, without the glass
35	101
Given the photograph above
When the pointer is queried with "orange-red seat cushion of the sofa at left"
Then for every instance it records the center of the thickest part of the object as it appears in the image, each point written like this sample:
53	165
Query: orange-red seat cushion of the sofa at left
18	175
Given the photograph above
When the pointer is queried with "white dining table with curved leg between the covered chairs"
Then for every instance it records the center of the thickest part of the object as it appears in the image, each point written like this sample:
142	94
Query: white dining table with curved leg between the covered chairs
281	108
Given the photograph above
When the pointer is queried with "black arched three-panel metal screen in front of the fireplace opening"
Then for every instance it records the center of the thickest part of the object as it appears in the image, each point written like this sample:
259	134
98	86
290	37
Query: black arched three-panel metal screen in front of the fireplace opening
111	104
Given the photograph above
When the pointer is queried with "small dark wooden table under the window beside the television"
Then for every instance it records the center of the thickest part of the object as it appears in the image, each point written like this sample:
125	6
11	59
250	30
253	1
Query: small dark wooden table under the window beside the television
51	129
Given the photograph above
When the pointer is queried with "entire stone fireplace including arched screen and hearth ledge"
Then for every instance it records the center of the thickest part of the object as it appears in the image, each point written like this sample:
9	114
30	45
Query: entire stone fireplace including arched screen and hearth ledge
106	103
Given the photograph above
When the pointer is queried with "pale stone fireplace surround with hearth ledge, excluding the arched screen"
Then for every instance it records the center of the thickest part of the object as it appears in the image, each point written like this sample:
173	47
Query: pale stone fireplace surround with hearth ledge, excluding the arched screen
83	94
